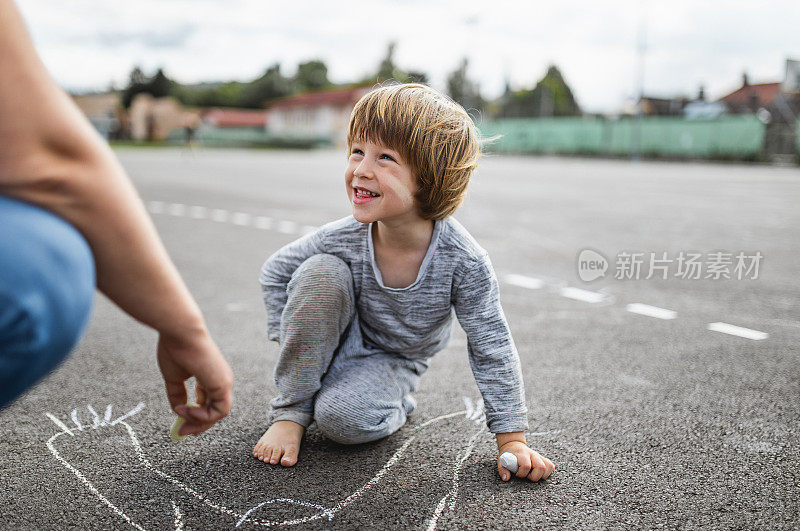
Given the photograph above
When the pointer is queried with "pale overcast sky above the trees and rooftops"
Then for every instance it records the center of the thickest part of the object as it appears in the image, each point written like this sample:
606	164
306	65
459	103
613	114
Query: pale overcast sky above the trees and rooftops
87	44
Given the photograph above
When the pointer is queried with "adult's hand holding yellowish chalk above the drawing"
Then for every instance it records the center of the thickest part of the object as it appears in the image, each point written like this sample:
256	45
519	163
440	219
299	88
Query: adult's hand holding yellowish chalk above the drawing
196	354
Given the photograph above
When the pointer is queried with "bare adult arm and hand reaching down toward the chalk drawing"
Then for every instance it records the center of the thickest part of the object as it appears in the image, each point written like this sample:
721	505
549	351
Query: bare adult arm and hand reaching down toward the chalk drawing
52	157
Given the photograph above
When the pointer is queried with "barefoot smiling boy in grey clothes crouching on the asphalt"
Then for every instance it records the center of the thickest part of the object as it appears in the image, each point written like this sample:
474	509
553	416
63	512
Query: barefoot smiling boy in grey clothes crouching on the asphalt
359	306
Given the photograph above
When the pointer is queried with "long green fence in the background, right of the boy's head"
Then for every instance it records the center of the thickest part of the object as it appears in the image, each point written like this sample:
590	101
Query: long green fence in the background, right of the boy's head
727	136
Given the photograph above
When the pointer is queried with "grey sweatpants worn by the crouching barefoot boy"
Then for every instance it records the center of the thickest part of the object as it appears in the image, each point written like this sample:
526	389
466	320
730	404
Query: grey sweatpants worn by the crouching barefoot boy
356	393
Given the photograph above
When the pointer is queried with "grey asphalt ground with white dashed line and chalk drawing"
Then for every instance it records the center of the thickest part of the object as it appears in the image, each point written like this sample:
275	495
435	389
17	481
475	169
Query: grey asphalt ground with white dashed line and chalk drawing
664	403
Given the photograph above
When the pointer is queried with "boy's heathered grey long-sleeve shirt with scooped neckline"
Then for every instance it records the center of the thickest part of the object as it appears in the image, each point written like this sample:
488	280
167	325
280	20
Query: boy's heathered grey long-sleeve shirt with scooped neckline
416	321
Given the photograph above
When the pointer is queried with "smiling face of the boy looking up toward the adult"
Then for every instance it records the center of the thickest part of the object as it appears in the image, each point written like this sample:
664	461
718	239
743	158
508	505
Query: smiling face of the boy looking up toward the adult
376	168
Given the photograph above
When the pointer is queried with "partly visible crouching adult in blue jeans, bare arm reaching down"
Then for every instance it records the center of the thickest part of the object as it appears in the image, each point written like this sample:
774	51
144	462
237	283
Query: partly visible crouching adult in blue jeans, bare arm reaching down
68	212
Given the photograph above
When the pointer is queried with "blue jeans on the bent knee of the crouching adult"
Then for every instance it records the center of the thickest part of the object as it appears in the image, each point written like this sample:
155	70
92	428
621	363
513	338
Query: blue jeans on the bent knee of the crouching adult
47	283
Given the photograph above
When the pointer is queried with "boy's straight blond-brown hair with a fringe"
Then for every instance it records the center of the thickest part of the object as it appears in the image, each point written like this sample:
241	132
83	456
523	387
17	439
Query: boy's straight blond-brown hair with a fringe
432	133
